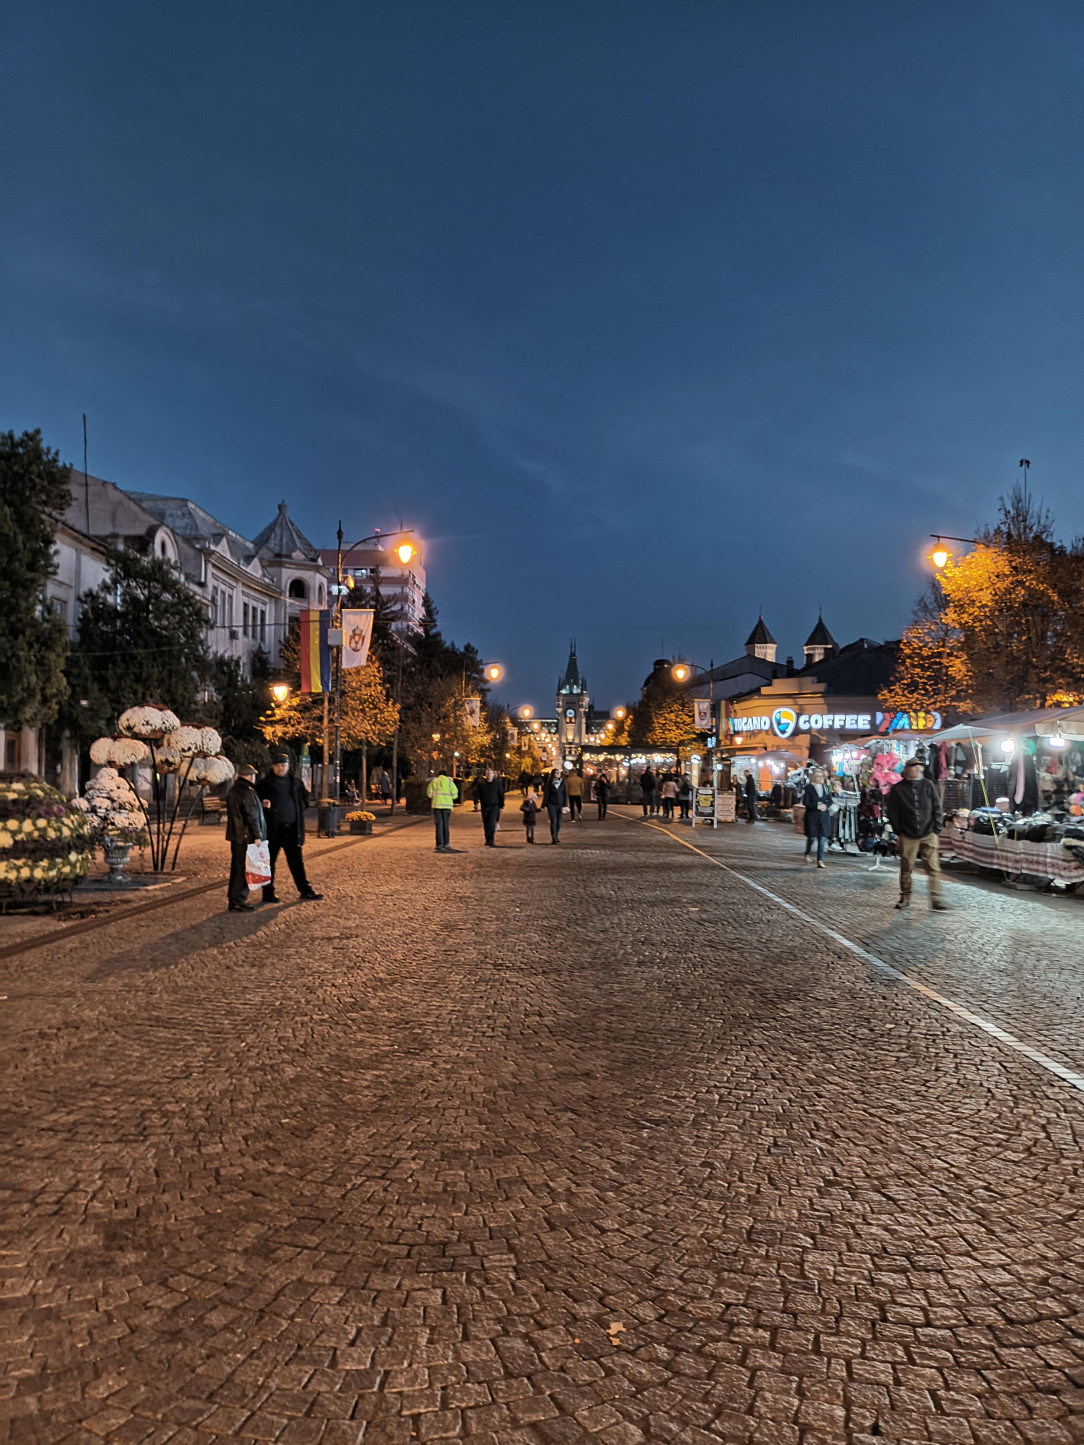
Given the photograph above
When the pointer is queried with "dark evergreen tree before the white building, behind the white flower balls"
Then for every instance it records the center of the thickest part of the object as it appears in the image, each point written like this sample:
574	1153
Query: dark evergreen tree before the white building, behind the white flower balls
141	639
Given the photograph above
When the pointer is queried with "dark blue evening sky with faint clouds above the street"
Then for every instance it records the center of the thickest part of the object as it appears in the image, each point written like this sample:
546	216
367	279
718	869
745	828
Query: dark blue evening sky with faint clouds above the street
644	314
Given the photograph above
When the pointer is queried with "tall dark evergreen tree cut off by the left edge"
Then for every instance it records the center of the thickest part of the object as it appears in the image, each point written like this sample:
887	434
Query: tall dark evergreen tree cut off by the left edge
34	492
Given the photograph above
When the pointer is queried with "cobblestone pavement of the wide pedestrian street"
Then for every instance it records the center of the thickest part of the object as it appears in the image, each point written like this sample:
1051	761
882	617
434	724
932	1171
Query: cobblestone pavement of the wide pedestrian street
543	1145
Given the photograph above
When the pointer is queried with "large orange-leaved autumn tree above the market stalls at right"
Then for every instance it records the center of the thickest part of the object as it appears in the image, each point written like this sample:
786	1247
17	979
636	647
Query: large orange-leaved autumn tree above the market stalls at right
1001	628
